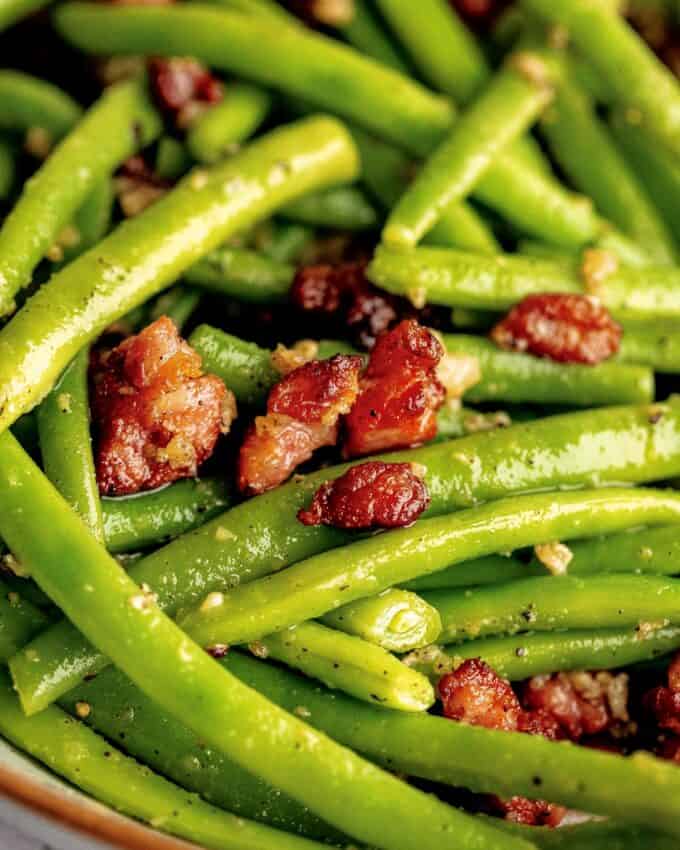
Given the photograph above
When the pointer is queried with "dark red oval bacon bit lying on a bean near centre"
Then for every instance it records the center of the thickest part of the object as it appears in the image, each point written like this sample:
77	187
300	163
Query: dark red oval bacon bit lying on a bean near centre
370	495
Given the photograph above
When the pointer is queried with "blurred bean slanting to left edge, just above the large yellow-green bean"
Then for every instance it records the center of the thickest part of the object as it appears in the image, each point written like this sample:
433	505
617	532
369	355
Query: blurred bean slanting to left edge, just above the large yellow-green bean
120	123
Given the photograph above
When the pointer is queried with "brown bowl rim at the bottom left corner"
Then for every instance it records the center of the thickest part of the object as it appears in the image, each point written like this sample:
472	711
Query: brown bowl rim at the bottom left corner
100	822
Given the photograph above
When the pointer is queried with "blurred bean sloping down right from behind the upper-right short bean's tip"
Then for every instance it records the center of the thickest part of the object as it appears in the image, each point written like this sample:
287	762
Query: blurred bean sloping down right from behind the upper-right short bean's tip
585	151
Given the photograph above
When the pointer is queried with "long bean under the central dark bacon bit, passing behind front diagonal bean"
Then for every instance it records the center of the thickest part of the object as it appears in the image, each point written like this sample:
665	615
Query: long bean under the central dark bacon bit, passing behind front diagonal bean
605	446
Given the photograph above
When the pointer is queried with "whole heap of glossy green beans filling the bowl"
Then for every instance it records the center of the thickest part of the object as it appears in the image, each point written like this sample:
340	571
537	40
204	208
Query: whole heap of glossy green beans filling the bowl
200	659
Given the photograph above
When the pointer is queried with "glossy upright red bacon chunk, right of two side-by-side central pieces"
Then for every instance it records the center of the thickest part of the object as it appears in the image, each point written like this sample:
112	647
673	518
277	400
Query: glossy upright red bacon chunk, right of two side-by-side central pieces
400	393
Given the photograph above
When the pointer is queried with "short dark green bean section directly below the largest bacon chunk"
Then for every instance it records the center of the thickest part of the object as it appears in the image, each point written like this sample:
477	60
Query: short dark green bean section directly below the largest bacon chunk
132	523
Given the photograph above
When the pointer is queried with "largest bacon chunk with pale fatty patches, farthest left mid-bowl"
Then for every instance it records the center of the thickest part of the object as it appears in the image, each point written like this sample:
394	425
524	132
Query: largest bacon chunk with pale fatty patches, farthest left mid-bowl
158	415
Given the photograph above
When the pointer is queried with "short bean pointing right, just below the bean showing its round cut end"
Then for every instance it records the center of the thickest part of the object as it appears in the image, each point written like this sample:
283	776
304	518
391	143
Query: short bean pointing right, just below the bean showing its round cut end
350	664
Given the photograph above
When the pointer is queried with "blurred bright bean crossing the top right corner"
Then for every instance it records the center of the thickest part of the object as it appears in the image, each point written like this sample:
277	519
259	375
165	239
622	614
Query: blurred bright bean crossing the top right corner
631	70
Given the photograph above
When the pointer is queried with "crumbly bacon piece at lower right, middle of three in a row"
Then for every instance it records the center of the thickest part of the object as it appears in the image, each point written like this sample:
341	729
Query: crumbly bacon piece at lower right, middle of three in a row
581	703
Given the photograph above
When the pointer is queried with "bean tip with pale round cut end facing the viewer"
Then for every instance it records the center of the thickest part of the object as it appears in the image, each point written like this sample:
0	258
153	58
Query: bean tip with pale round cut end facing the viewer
395	620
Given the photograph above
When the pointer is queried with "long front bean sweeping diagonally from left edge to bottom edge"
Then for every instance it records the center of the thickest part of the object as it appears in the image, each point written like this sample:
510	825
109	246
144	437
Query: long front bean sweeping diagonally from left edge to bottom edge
109	607
